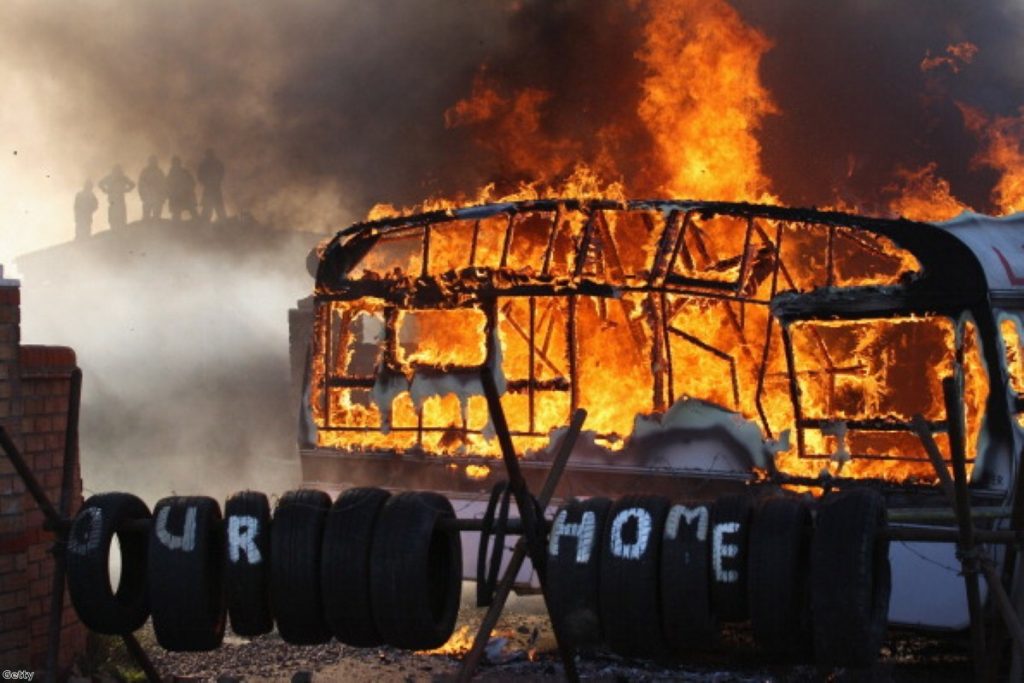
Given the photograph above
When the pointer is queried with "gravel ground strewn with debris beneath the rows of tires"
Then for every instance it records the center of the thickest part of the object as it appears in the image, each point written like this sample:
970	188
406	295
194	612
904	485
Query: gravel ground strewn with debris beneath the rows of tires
523	650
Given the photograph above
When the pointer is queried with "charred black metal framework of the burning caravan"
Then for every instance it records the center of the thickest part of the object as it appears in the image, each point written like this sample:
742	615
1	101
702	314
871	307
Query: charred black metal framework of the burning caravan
680	266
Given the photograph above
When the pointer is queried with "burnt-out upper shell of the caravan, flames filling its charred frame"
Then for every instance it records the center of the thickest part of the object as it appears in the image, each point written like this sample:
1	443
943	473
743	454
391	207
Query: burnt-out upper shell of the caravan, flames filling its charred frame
833	328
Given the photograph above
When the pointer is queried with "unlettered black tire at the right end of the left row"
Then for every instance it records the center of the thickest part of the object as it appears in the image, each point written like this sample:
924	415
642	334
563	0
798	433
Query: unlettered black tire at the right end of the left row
416	572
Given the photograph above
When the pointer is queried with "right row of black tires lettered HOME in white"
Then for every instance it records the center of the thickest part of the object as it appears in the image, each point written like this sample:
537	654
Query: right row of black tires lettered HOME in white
650	579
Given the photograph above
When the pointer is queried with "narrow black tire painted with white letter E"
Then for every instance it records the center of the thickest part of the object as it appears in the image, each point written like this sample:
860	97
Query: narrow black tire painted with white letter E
731	528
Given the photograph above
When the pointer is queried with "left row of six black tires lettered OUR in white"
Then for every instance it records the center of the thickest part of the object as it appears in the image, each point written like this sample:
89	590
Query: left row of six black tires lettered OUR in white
369	569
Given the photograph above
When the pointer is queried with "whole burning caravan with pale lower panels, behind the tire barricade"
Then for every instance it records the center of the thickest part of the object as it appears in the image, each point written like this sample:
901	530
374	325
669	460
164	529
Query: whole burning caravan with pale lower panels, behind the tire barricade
716	348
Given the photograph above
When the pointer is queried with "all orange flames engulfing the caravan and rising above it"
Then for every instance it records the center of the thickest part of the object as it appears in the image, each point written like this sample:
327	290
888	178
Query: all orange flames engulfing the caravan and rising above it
697	324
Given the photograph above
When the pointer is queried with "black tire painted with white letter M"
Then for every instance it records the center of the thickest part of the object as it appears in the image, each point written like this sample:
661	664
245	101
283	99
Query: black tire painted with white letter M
688	620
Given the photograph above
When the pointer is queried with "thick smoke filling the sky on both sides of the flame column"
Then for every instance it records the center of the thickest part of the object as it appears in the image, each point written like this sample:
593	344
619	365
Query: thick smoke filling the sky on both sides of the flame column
324	109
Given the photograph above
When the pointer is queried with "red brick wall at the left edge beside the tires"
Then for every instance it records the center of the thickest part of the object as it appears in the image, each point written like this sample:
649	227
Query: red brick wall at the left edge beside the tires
35	385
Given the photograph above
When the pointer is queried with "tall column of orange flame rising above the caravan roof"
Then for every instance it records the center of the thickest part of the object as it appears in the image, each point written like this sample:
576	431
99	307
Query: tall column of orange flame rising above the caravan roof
703	100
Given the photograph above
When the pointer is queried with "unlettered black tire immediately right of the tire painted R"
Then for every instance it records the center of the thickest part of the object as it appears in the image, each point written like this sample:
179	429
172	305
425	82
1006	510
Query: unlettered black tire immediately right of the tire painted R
296	536
